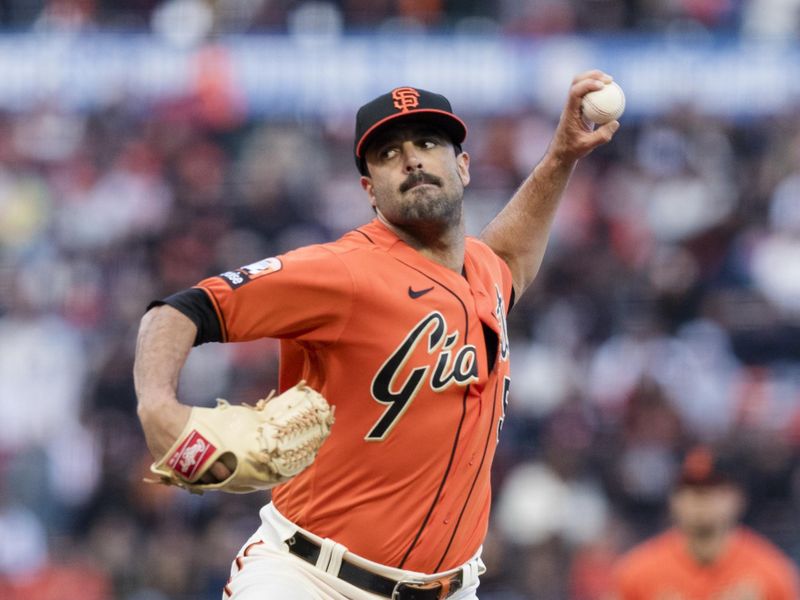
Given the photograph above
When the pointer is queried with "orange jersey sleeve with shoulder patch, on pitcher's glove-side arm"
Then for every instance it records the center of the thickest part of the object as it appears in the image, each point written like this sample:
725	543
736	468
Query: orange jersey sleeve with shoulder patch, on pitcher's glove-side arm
306	295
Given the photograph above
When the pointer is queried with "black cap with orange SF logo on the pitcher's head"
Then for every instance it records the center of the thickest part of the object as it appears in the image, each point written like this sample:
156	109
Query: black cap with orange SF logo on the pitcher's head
402	103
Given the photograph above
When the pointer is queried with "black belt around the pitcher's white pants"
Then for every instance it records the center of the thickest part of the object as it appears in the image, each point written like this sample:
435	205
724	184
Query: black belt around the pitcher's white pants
307	549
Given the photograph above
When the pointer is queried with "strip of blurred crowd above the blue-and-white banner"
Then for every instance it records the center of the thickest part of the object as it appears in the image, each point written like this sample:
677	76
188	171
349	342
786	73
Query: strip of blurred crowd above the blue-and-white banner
534	17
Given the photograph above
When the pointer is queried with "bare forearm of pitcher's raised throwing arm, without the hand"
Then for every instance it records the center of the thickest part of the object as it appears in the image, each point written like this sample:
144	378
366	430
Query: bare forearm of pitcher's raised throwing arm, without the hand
519	233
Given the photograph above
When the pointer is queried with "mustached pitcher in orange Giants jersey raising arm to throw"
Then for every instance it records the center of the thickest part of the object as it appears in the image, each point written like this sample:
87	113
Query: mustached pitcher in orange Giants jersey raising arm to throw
394	369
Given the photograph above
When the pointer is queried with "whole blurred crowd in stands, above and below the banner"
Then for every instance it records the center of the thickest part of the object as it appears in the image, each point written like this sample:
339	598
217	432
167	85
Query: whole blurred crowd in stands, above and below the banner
667	311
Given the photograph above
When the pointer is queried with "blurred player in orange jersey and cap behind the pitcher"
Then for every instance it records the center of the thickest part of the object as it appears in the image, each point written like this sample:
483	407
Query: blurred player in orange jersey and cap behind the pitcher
707	555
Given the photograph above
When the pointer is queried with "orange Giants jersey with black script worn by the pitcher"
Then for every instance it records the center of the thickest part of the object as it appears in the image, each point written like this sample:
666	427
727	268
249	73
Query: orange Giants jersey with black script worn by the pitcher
415	359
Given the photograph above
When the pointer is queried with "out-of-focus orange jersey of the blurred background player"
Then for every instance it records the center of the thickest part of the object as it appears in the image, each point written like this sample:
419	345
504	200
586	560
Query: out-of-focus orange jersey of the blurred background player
751	568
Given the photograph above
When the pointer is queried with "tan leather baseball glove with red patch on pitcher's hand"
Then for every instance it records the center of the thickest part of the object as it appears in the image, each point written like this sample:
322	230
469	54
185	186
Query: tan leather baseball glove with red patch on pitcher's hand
264	445
